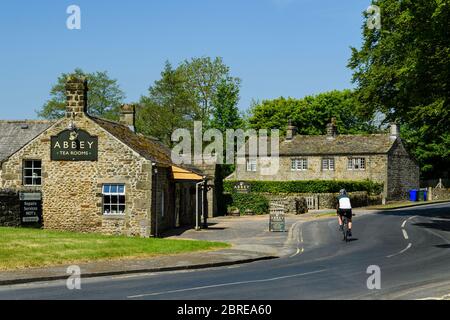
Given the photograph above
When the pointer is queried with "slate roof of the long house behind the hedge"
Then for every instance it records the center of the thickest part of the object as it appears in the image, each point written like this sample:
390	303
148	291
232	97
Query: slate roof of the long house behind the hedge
341	144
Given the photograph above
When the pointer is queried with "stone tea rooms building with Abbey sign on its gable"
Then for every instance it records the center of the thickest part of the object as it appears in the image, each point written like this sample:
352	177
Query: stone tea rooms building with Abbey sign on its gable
95	175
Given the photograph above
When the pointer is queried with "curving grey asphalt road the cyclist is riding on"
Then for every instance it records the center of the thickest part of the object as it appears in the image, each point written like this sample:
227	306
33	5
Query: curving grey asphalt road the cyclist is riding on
410	246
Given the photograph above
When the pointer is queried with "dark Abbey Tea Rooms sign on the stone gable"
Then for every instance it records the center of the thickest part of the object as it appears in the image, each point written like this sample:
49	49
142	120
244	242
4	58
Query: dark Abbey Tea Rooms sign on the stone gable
72	145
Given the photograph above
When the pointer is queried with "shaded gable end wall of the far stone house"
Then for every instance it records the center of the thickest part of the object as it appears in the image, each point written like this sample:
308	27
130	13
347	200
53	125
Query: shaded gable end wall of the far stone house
403	173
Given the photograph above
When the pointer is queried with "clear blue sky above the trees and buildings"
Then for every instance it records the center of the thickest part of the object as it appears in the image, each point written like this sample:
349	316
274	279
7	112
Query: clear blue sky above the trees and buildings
277	47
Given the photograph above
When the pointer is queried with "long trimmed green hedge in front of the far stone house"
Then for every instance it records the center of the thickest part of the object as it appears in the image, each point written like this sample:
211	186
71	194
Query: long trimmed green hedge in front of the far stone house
308	186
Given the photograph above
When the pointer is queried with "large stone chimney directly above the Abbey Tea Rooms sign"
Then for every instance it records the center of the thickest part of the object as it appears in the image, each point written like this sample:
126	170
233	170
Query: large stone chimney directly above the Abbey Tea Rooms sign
76	96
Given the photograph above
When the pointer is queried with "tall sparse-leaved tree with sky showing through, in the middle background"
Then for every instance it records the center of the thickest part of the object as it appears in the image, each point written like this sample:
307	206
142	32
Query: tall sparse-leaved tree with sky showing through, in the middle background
204	75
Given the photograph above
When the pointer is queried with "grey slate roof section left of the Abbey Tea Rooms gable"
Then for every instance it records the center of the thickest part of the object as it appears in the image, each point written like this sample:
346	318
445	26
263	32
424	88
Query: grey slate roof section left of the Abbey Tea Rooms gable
14	135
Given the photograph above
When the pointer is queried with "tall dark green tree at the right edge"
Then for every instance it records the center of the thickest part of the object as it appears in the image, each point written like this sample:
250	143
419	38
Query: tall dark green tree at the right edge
403	70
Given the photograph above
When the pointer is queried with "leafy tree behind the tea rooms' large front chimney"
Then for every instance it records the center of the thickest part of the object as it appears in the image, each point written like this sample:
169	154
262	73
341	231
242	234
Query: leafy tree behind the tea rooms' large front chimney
104	96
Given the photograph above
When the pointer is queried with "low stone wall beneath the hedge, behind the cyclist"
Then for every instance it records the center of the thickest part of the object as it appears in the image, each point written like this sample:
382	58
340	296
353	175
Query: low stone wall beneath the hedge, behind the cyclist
323	200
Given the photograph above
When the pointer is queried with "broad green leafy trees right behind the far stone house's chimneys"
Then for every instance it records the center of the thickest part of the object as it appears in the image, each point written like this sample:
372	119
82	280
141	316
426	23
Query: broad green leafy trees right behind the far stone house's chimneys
311	114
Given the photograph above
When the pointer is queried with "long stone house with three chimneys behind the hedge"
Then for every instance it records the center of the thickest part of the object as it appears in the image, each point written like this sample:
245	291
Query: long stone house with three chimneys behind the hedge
378	157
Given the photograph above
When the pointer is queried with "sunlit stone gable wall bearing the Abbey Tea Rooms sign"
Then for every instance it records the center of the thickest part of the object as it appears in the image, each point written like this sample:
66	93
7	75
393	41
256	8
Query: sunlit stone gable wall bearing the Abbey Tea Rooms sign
72	191
